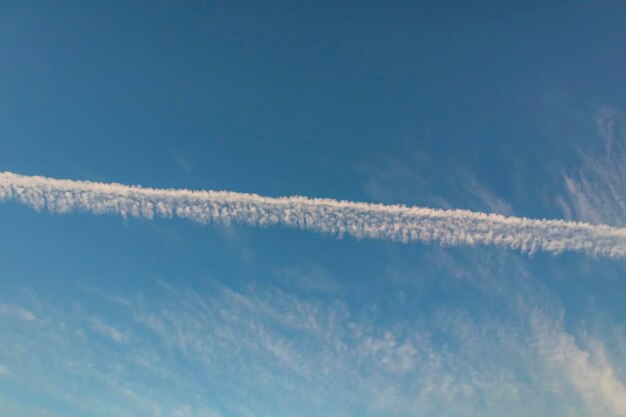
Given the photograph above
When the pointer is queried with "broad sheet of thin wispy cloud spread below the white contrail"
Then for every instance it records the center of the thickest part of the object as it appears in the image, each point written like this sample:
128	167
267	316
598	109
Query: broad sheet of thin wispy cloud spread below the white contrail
261	351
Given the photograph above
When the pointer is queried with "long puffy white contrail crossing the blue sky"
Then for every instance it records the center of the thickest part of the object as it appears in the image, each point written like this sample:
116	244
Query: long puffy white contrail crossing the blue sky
361	220
